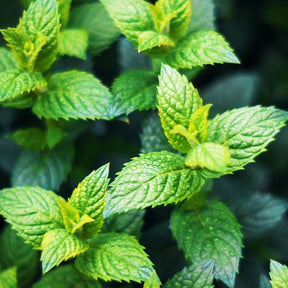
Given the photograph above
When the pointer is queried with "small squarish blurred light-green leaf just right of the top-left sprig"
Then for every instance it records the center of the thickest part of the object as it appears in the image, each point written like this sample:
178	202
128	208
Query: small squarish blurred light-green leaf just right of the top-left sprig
74	43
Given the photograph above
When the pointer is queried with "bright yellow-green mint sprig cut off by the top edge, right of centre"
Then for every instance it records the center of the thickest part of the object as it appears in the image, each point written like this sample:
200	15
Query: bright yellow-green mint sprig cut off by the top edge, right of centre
164	31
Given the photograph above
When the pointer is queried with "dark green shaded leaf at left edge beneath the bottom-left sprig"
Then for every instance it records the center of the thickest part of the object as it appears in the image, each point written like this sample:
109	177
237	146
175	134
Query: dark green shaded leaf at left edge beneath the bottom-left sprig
14	252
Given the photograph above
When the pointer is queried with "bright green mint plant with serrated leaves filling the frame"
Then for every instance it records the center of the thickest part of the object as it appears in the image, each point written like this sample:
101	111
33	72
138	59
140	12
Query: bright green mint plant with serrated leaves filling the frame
91	235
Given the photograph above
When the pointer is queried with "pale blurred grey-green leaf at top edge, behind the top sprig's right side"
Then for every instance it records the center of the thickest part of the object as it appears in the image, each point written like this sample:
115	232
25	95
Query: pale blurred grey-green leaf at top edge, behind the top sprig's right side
203	17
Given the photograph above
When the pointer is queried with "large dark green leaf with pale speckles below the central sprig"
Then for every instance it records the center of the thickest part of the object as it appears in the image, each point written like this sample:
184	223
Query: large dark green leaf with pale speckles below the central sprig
211	233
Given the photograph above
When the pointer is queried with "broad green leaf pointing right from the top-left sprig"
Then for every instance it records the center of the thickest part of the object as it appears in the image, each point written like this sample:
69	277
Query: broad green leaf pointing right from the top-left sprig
74	95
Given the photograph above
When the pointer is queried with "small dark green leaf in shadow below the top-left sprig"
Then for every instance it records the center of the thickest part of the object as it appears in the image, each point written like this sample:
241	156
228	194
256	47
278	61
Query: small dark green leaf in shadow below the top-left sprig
32	138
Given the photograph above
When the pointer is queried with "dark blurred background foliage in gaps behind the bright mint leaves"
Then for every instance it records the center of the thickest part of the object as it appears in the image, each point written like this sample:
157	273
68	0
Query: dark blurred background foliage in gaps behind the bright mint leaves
258	32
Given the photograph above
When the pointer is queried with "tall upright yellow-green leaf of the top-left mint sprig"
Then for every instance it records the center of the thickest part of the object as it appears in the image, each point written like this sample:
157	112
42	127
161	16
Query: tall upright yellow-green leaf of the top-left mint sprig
41	20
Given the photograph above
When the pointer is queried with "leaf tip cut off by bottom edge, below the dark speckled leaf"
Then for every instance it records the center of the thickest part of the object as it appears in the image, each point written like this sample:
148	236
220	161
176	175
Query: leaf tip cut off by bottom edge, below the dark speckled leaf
199	275
